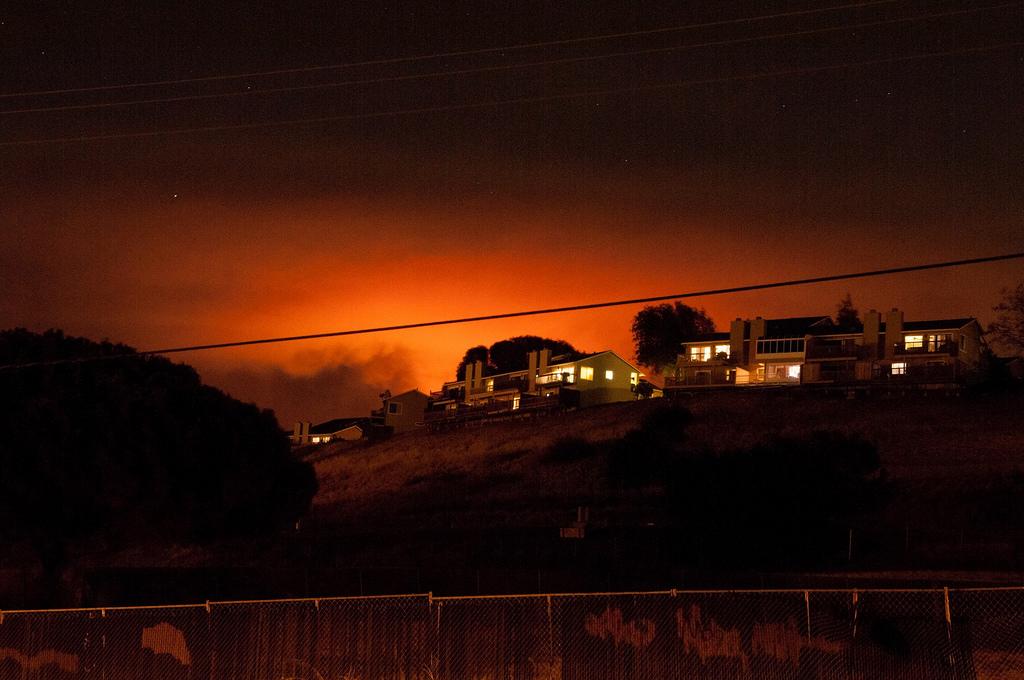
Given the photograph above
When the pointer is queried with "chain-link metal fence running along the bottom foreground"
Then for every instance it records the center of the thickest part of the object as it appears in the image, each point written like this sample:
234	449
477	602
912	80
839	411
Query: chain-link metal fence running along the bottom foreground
928	634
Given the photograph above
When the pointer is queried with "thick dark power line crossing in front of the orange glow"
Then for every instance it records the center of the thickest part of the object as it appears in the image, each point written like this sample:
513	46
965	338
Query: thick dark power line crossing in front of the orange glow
536	313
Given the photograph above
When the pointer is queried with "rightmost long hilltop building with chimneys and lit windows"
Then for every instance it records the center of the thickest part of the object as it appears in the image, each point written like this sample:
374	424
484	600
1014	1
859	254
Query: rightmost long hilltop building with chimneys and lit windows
815	351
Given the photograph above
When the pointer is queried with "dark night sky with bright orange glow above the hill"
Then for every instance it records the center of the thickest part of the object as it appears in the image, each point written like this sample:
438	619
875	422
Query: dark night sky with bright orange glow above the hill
644	190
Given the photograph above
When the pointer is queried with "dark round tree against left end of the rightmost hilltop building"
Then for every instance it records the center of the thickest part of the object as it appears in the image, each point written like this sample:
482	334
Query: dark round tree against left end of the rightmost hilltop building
659	332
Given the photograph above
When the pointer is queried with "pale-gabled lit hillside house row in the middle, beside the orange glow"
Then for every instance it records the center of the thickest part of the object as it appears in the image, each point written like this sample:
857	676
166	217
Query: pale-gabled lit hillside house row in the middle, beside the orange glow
561	381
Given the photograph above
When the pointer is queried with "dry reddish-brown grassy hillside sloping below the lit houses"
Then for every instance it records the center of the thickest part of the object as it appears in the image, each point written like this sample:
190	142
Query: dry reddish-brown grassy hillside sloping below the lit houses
499	475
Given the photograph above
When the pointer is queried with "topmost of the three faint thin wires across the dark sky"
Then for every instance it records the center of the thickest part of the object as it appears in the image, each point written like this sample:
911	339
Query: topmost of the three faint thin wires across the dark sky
470	53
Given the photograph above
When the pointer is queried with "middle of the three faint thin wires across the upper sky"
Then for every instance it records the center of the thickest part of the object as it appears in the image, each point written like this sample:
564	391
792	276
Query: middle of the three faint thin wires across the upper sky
504	68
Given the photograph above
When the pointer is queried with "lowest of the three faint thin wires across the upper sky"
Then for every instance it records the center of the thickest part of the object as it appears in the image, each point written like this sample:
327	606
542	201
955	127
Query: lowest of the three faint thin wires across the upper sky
517	101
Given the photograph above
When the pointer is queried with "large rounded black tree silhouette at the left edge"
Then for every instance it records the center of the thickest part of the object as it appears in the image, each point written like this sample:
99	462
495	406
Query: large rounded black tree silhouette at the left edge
125	451
